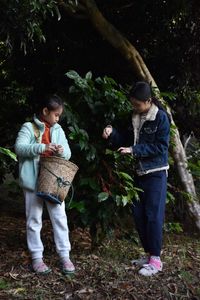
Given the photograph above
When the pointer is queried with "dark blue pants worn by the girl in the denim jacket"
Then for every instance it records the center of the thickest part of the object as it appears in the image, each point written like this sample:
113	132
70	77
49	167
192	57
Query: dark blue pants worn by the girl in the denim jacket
150	209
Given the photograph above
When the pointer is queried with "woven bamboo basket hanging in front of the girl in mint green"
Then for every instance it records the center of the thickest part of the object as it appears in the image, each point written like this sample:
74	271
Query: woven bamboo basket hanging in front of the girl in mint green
55	178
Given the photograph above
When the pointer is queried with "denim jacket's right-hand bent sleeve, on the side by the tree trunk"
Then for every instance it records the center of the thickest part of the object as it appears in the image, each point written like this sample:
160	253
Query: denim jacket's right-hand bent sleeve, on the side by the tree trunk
161	143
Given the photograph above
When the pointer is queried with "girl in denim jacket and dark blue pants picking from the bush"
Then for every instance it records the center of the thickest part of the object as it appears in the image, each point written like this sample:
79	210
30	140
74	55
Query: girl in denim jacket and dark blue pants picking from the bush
150	130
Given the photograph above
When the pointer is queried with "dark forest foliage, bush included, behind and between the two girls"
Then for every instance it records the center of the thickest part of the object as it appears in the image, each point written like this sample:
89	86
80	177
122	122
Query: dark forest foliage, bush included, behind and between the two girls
65	47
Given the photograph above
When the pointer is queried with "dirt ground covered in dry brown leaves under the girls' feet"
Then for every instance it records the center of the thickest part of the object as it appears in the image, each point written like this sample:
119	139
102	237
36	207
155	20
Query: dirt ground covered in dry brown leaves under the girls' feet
104	273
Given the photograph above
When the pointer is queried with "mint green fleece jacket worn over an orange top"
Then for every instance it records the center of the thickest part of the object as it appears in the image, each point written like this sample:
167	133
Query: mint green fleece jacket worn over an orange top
28	150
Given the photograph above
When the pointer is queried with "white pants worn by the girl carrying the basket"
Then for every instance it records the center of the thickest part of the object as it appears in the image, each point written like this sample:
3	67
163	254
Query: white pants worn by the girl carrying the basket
34	210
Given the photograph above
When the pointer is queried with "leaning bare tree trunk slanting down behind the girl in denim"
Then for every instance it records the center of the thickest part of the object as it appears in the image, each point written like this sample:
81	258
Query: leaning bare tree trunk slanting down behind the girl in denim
128	51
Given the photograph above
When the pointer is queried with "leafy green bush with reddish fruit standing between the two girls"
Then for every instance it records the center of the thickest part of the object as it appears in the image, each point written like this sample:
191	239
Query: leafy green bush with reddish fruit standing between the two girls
105	180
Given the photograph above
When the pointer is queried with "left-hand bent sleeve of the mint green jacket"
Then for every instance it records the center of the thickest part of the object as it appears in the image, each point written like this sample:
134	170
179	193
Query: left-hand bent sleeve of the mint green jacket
24	146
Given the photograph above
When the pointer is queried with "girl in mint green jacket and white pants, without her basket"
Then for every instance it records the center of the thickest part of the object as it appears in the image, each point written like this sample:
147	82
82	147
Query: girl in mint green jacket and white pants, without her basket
49	140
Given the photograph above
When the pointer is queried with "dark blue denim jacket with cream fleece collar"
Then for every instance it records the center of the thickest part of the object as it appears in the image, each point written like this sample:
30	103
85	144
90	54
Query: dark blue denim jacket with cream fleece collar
149	140
